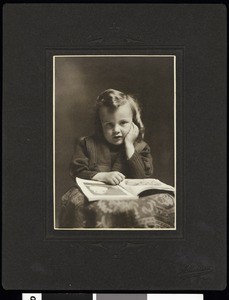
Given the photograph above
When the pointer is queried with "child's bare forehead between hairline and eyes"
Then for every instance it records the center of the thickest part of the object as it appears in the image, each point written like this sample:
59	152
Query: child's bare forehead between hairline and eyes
123	111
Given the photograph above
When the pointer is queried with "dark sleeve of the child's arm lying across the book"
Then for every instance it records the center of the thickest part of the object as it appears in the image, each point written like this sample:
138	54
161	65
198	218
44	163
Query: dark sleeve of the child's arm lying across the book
79	166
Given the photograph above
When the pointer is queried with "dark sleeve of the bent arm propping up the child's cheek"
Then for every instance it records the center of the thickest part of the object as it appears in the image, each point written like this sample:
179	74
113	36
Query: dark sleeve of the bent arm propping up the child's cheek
141	163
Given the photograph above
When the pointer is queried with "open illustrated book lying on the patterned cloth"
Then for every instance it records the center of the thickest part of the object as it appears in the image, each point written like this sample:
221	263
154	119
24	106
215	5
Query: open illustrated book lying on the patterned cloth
127	189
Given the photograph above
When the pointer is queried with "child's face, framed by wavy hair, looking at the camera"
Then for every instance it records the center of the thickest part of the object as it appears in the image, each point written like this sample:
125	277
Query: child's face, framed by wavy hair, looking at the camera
116	124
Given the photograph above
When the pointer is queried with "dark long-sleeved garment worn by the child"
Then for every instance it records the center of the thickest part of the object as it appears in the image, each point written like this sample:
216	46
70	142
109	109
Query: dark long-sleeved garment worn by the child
94	154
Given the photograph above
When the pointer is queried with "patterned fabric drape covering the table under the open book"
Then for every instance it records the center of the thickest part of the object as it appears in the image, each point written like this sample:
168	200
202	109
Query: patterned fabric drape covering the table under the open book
155	210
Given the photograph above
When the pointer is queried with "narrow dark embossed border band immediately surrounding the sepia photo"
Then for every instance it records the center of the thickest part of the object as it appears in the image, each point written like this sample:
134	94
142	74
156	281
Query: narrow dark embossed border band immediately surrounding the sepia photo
89	233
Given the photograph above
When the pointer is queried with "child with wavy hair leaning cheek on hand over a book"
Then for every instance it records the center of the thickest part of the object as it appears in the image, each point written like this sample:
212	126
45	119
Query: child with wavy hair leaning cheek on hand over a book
117	149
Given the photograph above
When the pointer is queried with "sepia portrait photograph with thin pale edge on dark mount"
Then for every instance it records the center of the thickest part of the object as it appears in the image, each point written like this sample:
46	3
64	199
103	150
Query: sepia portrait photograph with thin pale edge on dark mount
114	147
